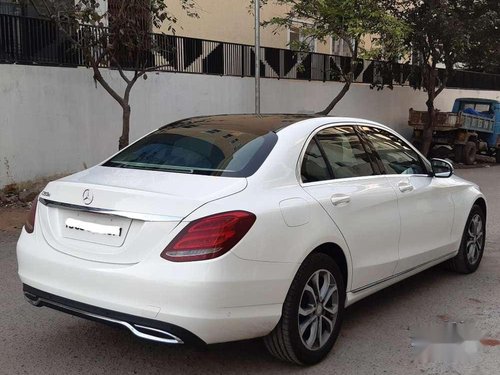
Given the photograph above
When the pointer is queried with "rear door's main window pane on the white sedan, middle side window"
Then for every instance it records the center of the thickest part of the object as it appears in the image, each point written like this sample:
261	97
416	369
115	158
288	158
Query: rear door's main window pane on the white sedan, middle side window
345	152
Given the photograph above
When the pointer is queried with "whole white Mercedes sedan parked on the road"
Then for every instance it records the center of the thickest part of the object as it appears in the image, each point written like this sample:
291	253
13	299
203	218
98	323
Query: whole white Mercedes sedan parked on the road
215	229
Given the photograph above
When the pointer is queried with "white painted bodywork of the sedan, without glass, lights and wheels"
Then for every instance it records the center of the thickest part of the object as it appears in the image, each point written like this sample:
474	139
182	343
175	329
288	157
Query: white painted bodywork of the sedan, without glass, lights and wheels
240	294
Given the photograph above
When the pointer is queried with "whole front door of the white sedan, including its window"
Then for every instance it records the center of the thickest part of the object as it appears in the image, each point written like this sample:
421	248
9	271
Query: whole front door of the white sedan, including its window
425	204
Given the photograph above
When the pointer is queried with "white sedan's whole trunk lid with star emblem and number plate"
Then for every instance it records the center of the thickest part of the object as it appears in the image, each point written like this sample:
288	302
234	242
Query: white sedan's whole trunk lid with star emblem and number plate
116	215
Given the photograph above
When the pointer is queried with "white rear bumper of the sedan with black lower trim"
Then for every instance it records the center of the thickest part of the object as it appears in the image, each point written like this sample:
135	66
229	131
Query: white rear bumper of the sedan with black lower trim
220	300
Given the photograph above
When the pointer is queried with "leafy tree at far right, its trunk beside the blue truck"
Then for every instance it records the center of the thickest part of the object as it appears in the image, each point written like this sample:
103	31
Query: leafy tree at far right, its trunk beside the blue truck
441	33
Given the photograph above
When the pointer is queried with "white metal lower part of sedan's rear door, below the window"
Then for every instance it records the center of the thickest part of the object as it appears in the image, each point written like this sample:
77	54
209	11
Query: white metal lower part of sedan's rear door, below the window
369	223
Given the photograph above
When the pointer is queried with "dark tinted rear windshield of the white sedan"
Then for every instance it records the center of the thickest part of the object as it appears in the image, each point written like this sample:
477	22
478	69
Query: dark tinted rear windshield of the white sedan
198	149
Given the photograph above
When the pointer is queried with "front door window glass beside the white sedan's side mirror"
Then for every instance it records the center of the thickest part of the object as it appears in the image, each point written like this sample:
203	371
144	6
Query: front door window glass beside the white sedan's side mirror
396	156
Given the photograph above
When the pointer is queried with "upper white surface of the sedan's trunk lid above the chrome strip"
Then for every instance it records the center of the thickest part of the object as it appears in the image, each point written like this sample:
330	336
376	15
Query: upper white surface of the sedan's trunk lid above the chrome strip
163	194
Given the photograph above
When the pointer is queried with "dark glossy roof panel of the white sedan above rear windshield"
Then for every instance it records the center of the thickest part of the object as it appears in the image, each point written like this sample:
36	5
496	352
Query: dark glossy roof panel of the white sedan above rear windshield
248	123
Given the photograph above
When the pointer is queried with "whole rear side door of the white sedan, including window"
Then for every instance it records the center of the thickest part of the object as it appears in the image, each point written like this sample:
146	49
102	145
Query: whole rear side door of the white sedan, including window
342	175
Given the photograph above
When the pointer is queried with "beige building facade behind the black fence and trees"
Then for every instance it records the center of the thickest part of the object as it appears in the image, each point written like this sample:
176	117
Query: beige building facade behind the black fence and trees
219	20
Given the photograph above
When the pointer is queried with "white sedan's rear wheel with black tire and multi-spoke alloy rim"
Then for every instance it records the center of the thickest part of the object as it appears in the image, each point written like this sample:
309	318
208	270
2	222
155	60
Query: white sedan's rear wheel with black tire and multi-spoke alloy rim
312	313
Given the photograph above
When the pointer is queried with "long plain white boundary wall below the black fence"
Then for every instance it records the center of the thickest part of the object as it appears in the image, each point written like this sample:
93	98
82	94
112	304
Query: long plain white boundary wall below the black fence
55	120
